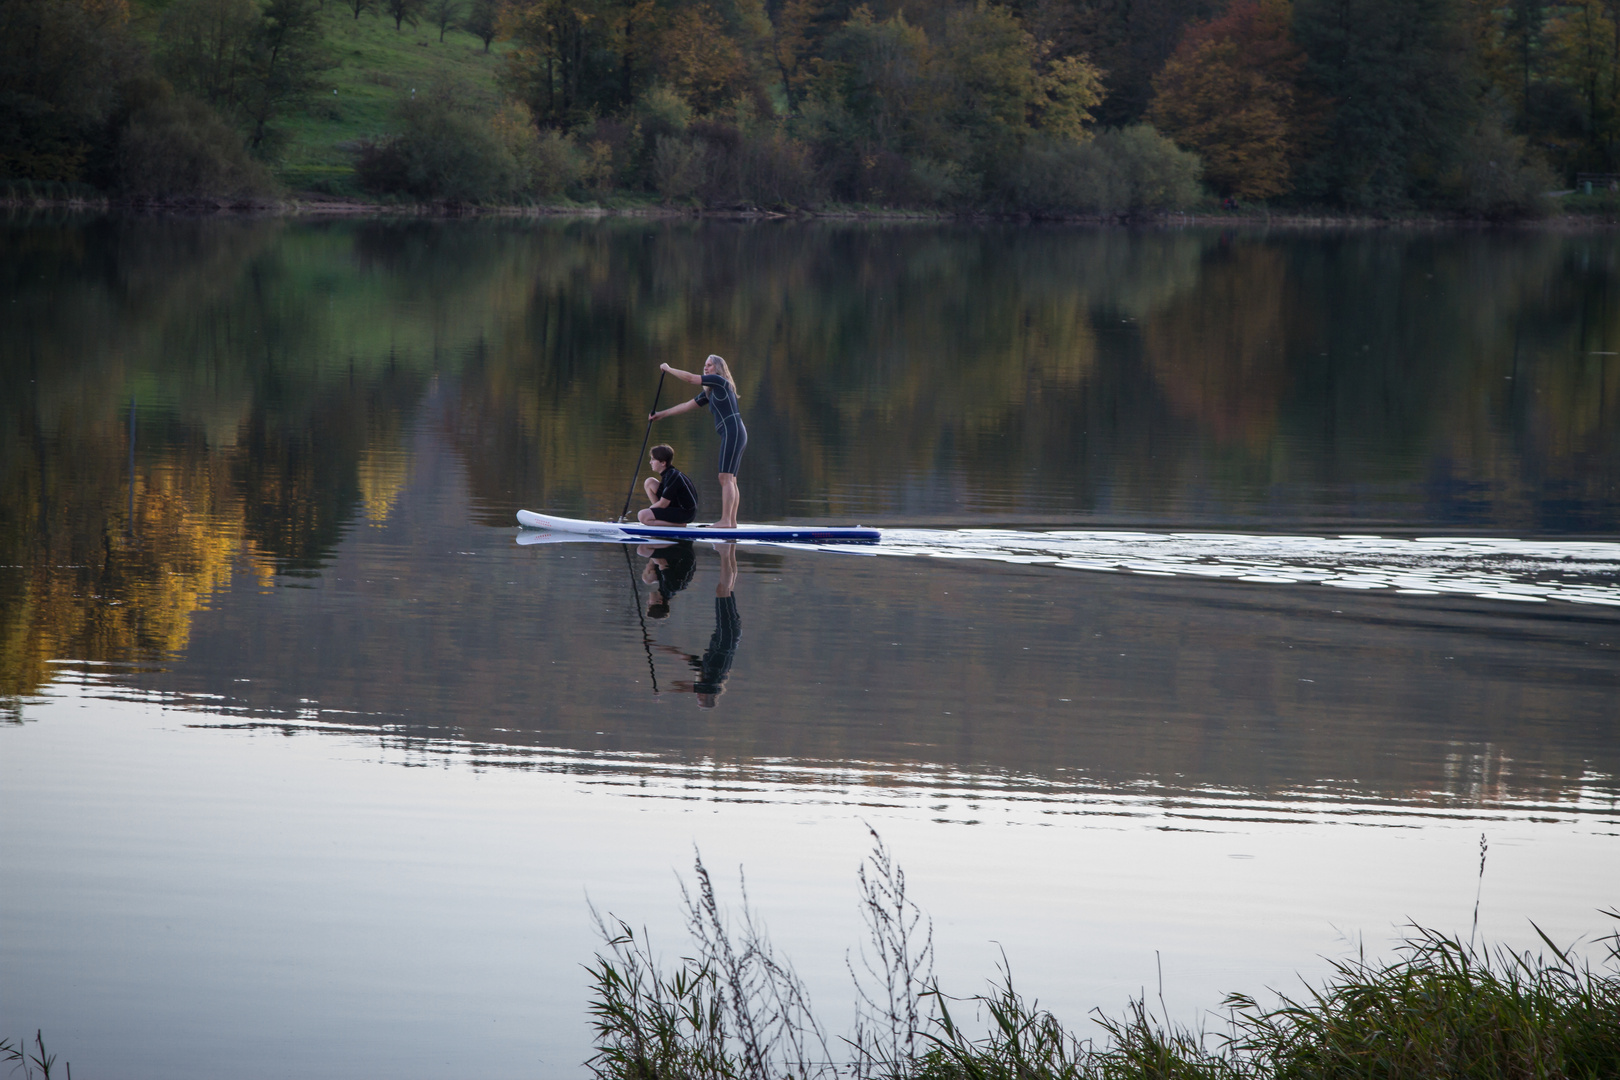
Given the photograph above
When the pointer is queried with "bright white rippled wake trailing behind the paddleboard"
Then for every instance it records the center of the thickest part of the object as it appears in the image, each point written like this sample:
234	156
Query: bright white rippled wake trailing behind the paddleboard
1579	572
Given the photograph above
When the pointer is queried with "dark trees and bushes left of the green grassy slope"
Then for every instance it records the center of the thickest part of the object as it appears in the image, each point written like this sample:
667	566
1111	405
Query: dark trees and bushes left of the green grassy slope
83	100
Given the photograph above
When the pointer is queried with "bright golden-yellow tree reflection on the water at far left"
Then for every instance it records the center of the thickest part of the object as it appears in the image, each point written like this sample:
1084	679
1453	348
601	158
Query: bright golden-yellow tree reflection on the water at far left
114	569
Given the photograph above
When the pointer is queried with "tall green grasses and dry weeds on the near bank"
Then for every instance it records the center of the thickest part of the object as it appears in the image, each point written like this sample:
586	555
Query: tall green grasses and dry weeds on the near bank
733	1010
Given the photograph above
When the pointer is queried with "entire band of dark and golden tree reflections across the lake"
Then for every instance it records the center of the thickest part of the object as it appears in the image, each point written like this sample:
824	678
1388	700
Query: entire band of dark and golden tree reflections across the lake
882	368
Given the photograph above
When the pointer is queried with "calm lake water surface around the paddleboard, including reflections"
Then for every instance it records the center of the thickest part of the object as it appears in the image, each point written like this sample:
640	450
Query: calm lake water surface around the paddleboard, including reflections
1235	585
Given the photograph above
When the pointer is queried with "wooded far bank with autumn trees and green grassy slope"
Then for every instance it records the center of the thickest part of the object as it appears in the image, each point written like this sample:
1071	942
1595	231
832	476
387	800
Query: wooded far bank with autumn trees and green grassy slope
1355	111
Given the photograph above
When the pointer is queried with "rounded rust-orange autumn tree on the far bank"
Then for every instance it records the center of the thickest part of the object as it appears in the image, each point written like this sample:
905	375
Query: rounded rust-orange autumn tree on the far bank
1229	96
